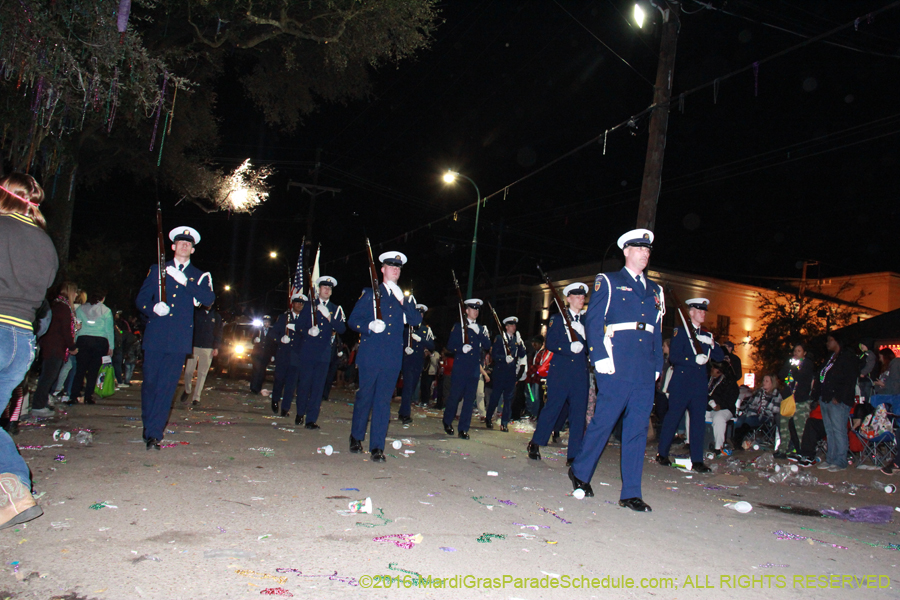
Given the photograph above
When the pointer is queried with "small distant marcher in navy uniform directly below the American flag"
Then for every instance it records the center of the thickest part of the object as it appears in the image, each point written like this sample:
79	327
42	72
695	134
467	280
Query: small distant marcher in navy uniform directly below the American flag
288	330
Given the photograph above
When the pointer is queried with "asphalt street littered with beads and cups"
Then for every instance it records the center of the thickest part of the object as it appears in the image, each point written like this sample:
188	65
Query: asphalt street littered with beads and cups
241	504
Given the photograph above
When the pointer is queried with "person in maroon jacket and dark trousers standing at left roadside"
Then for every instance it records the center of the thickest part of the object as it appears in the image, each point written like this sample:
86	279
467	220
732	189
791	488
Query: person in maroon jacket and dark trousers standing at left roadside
56	346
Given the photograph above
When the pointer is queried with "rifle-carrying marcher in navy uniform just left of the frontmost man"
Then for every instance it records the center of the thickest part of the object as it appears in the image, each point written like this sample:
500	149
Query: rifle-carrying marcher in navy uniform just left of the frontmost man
568	378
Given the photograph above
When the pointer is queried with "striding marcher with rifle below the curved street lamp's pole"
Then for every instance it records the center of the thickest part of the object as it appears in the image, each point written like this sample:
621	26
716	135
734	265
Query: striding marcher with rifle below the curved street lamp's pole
466	368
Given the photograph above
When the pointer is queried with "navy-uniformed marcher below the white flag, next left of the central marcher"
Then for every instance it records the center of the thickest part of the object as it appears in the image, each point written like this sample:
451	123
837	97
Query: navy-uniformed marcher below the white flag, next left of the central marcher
325	319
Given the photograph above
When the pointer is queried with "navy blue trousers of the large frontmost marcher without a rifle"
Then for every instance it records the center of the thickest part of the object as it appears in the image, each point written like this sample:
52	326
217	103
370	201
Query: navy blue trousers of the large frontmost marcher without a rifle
614	399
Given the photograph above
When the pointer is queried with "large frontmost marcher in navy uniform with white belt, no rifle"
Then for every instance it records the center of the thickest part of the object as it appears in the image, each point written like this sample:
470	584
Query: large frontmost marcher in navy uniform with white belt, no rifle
623	326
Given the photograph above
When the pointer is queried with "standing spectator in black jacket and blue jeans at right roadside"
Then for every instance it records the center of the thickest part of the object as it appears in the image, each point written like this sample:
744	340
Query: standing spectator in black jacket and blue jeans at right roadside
837	395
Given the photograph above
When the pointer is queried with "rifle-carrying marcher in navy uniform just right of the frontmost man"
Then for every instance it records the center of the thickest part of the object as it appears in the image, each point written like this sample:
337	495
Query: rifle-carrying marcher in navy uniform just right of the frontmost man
688	388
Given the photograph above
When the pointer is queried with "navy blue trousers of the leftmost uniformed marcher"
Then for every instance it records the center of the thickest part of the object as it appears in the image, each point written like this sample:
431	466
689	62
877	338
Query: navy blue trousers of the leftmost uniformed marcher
161	373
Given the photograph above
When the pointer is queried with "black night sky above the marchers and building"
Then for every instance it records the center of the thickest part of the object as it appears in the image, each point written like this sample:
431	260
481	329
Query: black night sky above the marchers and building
798	161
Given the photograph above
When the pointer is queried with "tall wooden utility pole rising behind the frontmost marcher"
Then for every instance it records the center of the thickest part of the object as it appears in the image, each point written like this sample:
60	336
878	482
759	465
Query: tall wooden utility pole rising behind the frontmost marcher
659	117
